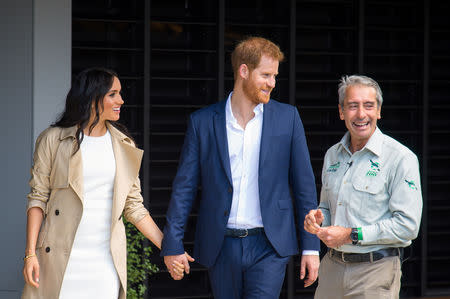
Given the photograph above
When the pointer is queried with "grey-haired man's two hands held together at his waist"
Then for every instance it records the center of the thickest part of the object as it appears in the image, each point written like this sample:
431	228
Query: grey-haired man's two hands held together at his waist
332	236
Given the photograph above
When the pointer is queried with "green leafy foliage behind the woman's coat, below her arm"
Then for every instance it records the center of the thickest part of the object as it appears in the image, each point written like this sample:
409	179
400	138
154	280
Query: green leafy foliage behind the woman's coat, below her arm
138	262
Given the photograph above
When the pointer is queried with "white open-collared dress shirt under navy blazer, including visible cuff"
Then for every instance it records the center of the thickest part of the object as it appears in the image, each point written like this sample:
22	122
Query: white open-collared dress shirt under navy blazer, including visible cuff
243	149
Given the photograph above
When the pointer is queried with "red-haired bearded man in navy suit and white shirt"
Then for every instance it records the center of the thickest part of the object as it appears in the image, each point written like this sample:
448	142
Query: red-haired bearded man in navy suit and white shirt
249	155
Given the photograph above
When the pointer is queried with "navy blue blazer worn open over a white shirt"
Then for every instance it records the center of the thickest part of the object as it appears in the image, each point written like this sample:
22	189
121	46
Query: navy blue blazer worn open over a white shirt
286	183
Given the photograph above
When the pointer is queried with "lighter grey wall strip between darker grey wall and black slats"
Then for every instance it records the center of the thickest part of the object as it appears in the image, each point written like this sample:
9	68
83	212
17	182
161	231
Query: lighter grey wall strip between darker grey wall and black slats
51	60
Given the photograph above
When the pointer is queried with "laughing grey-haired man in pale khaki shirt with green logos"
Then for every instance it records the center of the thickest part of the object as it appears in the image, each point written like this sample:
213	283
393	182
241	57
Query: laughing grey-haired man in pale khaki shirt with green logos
370	202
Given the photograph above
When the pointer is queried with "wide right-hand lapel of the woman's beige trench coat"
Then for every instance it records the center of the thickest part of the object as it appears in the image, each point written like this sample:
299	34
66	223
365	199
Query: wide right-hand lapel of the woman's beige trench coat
128	162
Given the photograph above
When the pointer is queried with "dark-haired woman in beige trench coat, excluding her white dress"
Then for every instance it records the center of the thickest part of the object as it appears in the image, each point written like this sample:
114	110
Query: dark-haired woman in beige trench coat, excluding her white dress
57	187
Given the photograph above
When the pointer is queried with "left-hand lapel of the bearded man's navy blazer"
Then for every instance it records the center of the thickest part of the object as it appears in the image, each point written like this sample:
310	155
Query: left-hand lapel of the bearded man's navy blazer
221	138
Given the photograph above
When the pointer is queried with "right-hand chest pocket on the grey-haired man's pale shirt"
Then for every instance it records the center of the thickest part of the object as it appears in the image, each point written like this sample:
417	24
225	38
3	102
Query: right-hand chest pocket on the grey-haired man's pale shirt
370	195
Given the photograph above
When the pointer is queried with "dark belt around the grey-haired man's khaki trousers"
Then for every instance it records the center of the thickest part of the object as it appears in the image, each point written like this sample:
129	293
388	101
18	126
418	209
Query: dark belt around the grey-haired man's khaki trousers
373	256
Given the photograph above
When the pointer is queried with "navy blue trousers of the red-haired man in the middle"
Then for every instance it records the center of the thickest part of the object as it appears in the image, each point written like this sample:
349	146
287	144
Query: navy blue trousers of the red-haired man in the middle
248	268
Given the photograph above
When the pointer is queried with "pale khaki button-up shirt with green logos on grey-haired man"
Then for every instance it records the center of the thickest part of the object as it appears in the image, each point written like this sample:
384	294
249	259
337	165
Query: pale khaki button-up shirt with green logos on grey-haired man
377	189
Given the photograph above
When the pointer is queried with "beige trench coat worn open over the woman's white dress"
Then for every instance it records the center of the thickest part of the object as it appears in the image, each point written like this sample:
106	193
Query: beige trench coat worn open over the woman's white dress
57	188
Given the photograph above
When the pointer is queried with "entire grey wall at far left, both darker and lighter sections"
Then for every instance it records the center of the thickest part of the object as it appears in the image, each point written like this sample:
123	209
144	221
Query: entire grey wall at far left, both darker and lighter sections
35	60
